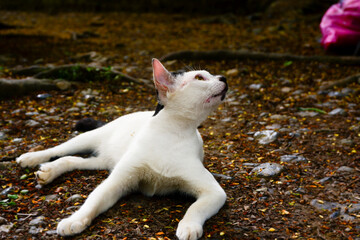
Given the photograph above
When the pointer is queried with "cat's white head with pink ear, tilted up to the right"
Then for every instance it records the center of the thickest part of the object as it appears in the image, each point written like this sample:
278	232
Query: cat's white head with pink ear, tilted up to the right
194	94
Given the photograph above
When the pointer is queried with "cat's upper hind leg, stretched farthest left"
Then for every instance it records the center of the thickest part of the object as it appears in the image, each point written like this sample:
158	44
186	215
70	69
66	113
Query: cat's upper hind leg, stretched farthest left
85	142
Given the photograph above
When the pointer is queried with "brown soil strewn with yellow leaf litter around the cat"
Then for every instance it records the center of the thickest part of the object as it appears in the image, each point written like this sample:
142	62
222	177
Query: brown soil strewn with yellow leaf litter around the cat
256	208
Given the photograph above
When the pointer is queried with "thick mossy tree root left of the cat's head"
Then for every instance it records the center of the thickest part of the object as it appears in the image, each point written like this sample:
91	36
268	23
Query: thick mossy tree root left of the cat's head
60	78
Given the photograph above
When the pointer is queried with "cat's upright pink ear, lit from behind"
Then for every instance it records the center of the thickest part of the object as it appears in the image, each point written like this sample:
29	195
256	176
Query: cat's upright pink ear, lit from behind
163	80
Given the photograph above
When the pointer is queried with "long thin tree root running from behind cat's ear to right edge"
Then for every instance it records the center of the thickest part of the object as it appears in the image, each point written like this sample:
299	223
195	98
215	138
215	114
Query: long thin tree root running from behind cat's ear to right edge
244	54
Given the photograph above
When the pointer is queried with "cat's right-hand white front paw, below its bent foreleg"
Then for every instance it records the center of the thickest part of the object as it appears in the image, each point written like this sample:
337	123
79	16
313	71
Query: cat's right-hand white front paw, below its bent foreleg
189	230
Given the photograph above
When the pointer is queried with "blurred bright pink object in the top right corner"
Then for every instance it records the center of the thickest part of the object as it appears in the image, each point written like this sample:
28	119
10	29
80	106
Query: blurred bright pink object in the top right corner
340	25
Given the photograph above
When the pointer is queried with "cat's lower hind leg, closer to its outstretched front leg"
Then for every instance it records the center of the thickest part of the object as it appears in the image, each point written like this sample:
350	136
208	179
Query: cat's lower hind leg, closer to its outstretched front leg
51	170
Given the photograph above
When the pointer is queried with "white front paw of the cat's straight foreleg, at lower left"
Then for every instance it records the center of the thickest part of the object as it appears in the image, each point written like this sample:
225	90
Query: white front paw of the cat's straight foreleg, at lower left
72	225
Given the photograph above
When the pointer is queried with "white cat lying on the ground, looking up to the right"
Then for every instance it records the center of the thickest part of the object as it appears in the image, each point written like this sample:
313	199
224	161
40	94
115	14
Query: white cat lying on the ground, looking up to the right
154	153
